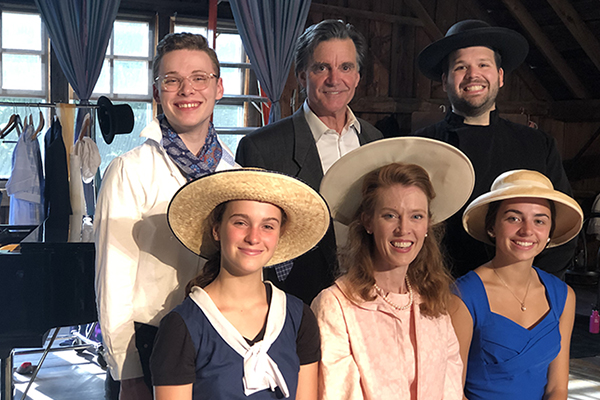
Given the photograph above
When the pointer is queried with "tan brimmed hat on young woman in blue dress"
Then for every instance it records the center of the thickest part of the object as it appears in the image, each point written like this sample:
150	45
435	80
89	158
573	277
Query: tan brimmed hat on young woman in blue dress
524	183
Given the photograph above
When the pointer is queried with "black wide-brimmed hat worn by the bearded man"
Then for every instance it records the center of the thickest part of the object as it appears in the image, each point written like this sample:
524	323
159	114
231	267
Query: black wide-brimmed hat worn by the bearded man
511	45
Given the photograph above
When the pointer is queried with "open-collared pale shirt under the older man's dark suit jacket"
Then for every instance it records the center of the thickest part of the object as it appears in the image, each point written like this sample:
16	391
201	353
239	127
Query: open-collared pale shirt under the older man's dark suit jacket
330	144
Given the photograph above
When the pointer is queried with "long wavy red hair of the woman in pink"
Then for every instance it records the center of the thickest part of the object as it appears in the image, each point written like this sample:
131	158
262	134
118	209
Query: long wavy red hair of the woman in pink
427	273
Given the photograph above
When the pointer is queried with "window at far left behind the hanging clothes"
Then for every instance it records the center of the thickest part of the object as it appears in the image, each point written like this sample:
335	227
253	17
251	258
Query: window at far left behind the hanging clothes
23	75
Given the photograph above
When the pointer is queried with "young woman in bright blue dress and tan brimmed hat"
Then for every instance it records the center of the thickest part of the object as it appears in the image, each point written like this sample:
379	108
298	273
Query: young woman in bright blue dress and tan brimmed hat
514	321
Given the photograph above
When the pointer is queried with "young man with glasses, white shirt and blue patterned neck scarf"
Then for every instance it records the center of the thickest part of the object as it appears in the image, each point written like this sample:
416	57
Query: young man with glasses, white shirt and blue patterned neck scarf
141	269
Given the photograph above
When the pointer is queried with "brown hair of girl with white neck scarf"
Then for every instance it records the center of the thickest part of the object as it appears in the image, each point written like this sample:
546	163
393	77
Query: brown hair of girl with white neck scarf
211	269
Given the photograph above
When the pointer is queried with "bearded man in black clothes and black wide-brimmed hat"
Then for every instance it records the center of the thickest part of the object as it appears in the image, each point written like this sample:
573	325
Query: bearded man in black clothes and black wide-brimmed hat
471	62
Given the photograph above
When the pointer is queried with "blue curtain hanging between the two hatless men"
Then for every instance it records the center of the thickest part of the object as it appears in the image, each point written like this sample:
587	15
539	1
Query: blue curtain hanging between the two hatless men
269	29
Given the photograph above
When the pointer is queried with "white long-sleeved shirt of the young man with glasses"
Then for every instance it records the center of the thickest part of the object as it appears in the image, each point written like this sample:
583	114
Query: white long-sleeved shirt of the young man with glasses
141	268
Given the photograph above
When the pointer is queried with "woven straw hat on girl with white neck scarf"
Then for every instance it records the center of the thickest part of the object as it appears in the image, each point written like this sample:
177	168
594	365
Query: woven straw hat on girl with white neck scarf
306	211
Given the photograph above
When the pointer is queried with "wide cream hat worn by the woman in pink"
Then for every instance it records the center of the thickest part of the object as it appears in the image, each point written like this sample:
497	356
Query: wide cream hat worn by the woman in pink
450	172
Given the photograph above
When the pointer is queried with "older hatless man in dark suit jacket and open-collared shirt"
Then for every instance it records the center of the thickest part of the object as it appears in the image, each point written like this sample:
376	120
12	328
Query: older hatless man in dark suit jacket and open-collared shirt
329	58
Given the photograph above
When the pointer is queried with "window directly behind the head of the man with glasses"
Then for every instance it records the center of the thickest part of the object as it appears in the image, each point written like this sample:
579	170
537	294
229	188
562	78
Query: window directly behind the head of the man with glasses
233	112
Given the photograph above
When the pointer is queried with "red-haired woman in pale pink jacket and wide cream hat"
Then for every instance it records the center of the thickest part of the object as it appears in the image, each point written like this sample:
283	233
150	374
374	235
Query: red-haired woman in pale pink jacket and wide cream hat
385	328
